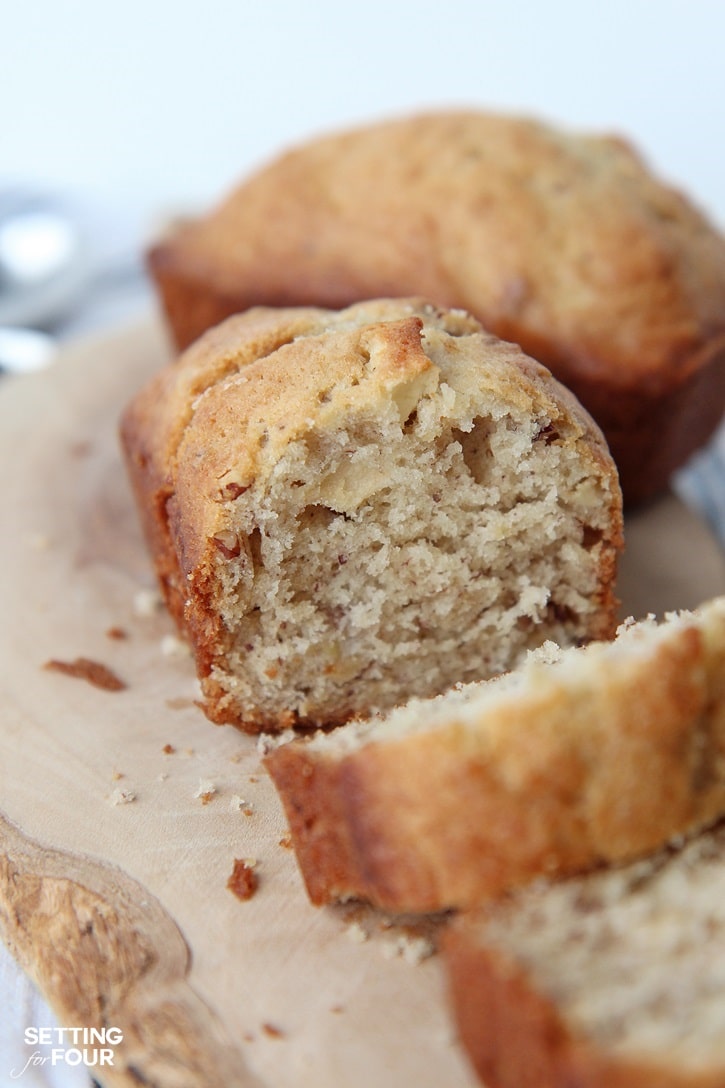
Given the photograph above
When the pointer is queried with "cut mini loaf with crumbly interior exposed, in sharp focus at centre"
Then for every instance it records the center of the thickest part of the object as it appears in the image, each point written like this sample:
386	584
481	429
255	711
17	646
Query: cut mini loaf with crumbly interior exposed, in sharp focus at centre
348	509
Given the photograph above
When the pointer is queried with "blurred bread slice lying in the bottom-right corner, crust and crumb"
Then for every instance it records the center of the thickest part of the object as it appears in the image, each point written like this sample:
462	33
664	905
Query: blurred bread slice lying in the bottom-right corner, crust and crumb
611	981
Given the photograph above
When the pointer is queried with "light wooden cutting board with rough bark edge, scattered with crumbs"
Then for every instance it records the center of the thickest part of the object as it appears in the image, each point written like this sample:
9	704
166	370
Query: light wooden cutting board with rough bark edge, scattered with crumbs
116	850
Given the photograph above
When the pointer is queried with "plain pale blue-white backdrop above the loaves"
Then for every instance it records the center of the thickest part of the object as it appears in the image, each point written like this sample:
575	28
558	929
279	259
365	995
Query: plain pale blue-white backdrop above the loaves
155	105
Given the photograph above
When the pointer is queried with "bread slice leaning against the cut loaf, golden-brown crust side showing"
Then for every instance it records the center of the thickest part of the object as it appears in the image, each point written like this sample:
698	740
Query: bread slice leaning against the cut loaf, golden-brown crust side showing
583	757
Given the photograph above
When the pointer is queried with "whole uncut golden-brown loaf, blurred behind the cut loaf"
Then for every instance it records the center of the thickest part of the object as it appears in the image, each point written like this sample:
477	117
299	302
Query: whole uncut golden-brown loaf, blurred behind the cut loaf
564	244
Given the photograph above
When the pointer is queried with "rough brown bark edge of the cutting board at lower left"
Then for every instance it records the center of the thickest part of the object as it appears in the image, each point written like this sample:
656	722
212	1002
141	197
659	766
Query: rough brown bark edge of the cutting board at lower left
105	954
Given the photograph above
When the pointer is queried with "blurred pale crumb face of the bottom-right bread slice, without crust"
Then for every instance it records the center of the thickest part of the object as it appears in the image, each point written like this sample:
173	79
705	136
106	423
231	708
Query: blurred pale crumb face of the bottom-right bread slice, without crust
632	958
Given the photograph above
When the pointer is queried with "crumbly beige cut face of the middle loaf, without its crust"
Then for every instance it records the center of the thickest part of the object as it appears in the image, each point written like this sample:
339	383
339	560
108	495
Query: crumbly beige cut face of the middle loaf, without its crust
431	537
